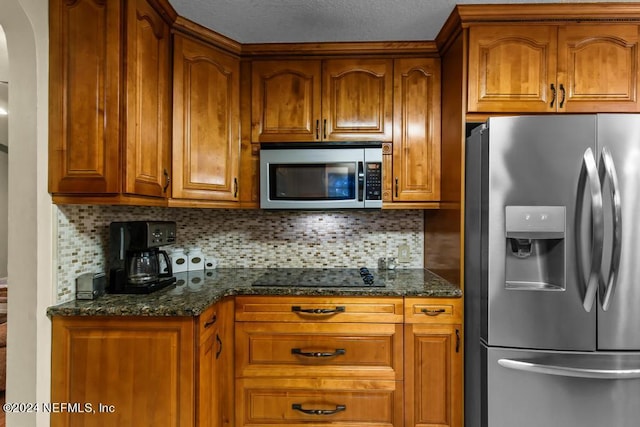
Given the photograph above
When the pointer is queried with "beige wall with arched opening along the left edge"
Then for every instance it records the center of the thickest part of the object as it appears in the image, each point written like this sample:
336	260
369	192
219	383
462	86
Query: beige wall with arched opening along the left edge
30	236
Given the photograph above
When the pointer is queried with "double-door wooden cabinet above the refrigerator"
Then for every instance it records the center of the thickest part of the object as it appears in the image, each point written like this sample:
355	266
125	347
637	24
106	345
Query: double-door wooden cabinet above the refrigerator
570	68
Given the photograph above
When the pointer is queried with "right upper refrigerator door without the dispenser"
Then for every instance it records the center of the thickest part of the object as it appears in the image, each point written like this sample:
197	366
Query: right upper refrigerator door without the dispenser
618	326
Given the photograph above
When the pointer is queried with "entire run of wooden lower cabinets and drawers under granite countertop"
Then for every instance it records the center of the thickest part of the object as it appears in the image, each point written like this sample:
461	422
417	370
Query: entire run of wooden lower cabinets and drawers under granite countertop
374	362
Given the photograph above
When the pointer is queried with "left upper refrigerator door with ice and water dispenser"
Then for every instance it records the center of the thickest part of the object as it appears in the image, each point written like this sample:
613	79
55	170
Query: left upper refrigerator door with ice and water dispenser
533	292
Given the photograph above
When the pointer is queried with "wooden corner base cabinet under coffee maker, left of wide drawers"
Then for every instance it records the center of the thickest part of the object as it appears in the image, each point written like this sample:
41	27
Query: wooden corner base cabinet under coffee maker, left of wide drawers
144	371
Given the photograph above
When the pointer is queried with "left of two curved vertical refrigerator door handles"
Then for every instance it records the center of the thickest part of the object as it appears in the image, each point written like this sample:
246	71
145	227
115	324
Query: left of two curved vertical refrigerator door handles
589	171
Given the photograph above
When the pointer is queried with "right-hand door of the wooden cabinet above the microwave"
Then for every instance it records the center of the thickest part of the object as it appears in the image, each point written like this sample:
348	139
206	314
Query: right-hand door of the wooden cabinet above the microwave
357	100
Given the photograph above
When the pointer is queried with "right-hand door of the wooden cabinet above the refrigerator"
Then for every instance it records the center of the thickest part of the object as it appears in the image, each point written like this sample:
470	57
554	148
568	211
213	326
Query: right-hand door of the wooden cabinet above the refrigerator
598	68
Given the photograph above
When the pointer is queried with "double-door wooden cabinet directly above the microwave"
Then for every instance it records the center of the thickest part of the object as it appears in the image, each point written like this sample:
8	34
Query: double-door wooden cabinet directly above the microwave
330	100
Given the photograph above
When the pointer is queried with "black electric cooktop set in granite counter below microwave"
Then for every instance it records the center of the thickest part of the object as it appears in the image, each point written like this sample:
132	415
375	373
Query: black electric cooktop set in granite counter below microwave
318	278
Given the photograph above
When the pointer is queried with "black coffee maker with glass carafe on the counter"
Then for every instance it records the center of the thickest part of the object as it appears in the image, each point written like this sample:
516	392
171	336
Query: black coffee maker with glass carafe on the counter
136	264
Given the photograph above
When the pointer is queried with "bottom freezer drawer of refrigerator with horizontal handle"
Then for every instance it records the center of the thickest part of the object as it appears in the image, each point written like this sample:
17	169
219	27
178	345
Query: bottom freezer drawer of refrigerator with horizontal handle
534	388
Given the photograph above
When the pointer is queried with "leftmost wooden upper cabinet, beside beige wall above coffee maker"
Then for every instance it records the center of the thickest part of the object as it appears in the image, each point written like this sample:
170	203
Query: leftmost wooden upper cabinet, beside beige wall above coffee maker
109	130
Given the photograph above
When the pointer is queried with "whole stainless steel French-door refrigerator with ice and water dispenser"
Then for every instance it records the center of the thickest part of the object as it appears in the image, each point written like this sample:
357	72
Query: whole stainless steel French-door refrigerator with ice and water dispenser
552	272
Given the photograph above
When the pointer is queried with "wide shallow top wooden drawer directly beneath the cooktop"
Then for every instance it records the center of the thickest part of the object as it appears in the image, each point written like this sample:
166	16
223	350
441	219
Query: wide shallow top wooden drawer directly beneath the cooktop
319	309
